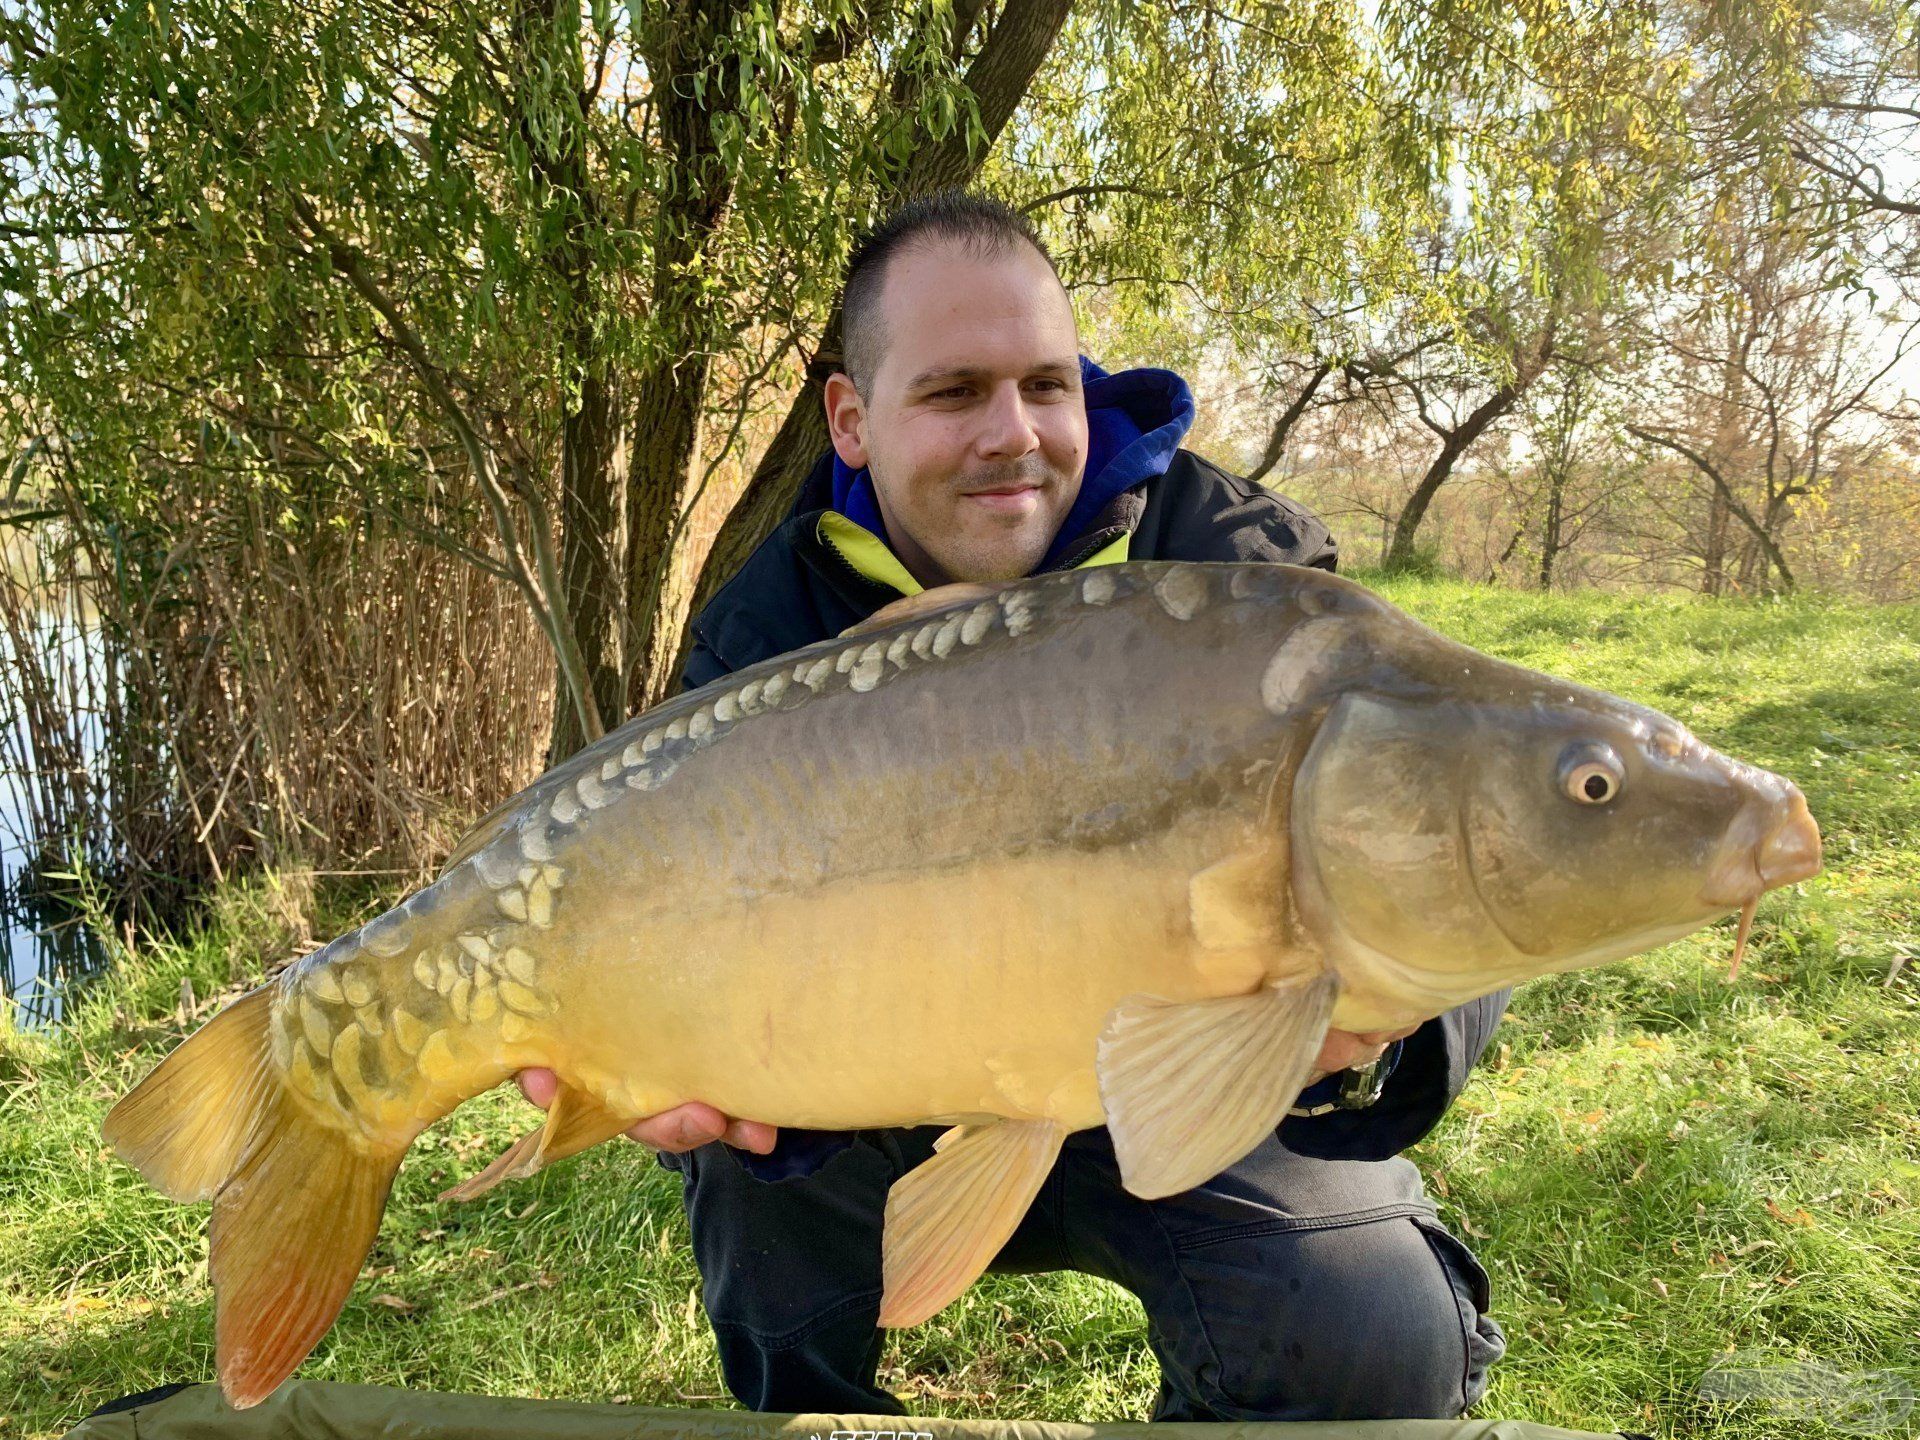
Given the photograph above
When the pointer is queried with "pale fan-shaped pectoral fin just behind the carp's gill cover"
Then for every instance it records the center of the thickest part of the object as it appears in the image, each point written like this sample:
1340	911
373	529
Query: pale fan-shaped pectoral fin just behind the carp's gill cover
1189	1088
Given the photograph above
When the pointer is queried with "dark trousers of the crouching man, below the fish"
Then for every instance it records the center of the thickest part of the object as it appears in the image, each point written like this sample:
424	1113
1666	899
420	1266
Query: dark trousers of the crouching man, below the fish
1285	1289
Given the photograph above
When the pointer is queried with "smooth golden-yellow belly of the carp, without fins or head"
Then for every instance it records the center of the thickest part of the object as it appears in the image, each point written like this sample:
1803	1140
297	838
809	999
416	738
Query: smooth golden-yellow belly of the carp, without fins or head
894	999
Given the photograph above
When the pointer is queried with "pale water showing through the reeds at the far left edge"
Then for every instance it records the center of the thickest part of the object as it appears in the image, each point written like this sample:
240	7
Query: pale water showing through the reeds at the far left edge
43	948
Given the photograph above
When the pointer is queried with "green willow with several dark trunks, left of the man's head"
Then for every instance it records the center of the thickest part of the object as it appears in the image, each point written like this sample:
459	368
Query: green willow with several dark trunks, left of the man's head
508	237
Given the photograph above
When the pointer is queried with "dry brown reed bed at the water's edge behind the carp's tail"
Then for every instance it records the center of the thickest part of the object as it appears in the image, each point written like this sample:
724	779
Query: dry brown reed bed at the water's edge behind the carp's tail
233	684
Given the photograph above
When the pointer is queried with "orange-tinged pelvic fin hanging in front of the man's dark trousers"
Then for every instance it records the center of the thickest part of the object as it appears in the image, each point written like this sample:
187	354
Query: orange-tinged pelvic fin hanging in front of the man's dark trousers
949	1218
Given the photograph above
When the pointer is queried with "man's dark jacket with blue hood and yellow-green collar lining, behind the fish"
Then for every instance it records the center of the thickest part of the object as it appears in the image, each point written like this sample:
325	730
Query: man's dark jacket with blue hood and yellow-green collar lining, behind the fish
1145	498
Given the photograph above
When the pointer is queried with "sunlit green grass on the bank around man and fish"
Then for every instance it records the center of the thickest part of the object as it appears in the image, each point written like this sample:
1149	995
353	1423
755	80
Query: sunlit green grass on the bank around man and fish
1656	1166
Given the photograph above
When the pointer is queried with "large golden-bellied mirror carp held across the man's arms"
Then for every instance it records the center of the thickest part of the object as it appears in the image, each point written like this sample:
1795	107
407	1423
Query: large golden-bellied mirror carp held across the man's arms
1101	848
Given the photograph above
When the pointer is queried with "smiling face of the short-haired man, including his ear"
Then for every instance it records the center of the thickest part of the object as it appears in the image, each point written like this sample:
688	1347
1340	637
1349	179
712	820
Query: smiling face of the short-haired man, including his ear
976	431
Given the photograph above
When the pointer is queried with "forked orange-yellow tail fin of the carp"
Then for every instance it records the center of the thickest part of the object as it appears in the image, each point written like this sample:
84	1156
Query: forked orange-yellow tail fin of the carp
297	1203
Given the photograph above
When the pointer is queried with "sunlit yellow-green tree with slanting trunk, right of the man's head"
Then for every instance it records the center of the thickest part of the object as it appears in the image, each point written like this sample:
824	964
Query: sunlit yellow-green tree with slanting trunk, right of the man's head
1529	176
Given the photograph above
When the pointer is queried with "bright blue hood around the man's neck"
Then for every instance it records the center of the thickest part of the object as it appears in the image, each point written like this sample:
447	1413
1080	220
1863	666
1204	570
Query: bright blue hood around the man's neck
1136	421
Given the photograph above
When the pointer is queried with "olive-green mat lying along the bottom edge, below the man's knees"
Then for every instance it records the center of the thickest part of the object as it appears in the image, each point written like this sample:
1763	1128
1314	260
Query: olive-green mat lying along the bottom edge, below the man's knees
356	1412
